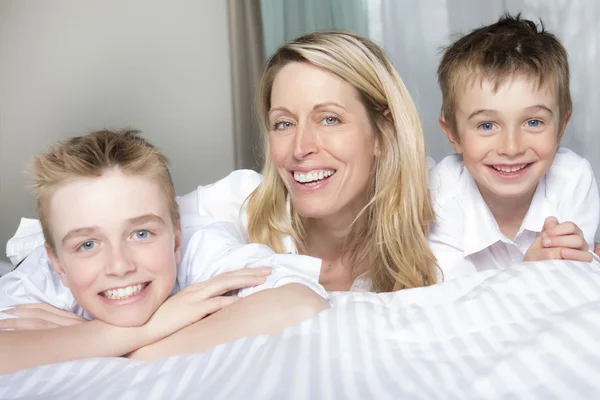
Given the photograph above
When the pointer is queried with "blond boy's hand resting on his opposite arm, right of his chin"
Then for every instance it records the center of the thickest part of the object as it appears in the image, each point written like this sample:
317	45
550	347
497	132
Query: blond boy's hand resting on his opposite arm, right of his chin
200	300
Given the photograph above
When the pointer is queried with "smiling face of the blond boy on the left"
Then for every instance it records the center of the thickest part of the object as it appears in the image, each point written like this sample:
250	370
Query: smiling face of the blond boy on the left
116	248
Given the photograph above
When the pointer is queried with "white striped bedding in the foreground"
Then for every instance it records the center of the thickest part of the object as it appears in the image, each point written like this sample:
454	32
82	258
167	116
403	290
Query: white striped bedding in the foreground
529	332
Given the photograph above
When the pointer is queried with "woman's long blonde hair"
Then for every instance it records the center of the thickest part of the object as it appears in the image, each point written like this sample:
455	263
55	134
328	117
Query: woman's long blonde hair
393	239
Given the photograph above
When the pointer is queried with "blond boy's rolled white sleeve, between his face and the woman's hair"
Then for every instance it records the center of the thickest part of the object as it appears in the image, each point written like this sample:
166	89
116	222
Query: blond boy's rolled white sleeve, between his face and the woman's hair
218	247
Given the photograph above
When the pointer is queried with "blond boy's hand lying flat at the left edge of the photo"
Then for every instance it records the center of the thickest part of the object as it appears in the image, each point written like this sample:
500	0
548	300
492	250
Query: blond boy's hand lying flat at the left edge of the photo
39	316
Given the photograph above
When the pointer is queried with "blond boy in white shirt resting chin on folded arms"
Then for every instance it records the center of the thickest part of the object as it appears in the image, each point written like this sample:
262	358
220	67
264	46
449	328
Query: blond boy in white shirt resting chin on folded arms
113	238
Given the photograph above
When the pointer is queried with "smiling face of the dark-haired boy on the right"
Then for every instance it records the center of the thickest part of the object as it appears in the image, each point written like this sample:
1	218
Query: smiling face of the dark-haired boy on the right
508	137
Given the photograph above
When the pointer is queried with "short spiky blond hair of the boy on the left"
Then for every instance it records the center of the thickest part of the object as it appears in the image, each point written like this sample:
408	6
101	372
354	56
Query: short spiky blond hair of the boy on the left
92	155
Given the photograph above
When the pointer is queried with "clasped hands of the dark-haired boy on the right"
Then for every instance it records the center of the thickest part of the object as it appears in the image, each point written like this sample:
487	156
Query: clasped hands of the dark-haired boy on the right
559	241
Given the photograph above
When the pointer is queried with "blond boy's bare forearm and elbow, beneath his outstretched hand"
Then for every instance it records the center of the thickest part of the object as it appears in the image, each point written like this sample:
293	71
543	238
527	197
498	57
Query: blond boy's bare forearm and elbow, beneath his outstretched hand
265	312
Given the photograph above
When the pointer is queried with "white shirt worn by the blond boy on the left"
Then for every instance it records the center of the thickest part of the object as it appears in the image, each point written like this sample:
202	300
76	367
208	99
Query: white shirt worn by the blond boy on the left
209	248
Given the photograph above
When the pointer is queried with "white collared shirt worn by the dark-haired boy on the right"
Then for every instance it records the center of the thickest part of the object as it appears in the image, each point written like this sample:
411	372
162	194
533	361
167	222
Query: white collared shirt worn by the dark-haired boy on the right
465	237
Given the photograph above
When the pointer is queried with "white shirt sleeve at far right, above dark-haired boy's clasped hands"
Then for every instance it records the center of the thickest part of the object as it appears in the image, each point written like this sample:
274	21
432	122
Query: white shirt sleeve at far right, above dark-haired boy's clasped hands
580	202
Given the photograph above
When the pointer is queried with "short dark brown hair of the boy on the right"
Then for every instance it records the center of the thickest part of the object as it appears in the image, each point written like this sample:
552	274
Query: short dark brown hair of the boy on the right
496	52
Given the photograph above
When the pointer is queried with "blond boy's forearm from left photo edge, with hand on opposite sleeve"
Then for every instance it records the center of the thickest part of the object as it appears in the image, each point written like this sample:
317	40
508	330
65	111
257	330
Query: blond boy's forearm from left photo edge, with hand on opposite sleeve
22	349
